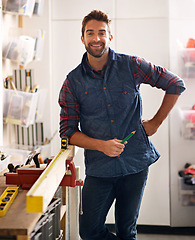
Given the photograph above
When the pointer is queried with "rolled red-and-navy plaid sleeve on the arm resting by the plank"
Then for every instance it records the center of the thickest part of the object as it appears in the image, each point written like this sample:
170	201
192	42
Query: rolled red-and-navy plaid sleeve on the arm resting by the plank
69	114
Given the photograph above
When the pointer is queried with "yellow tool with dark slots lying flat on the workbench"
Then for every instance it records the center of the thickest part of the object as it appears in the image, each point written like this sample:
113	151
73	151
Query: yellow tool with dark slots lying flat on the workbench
7	198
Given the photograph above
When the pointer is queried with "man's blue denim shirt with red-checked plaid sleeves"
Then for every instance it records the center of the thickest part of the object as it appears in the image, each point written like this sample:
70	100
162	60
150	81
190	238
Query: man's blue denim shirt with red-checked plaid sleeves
111	107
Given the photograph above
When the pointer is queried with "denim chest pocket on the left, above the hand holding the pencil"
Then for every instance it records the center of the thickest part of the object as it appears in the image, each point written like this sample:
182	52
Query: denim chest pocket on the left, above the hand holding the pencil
91	101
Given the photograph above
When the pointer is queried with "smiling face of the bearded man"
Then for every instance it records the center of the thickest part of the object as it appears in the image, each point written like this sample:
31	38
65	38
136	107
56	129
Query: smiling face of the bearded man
96	38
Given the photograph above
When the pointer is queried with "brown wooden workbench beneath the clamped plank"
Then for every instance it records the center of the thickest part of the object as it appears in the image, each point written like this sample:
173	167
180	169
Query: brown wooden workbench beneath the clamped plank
17	222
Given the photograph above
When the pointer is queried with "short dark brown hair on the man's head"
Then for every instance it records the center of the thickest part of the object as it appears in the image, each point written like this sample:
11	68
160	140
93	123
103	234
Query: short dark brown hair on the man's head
98	16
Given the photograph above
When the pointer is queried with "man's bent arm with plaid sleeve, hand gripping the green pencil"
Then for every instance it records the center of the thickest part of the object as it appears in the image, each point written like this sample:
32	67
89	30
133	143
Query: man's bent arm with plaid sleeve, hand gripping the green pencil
69	117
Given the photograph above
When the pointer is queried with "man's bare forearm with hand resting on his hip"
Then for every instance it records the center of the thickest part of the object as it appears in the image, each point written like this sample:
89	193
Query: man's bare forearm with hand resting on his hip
152	125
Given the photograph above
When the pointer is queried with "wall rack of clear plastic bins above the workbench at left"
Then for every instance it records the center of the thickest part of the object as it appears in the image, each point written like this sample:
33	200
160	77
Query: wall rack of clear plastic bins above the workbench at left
23	109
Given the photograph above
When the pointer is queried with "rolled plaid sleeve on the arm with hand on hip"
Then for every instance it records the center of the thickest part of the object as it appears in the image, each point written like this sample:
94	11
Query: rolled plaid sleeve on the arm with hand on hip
156	76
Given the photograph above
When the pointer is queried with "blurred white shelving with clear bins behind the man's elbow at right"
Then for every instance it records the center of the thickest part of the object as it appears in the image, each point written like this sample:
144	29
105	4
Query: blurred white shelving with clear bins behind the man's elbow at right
182	142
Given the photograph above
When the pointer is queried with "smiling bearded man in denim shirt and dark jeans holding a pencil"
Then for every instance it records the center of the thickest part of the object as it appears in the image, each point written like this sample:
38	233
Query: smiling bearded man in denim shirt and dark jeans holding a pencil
102	94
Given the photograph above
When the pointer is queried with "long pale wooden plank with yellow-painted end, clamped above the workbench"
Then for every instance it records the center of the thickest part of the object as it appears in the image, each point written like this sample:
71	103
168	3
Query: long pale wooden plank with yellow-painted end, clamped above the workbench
43	190
